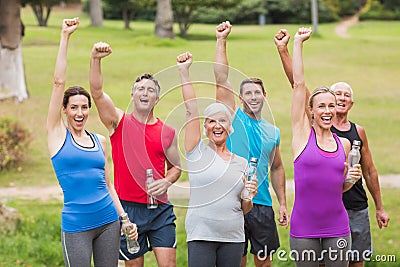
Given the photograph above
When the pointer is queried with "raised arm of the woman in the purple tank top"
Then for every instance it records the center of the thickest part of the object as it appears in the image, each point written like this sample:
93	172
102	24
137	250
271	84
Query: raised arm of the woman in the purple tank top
300	122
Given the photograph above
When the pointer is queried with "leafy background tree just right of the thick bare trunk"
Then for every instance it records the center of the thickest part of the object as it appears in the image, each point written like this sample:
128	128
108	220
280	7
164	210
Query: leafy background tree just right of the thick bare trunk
184	10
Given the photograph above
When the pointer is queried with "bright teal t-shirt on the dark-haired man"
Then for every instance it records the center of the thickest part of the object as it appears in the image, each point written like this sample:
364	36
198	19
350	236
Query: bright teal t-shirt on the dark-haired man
255	138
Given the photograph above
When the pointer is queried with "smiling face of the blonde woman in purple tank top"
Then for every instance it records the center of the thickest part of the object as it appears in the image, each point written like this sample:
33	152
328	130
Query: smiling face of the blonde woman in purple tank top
323	109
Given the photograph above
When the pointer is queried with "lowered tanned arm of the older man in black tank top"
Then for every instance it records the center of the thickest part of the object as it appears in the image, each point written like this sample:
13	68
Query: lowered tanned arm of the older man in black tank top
371	179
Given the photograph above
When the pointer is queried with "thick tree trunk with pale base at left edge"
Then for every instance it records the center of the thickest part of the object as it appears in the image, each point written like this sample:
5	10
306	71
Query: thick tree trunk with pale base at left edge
12	77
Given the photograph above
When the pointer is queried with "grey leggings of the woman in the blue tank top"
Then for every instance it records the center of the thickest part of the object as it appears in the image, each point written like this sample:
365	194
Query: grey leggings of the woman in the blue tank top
103	241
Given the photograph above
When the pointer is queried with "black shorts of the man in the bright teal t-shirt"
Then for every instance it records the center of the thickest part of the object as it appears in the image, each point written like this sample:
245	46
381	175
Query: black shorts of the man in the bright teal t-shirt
260	230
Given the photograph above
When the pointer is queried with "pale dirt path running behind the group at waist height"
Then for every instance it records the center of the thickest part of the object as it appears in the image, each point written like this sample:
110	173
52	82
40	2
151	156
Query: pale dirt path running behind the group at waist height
179	190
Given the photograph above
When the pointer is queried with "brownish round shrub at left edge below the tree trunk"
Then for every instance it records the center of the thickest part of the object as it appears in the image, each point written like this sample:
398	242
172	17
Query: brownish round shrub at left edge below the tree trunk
14	142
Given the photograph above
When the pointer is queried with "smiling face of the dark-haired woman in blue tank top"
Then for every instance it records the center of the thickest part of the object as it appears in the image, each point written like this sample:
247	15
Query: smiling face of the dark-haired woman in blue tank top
77	112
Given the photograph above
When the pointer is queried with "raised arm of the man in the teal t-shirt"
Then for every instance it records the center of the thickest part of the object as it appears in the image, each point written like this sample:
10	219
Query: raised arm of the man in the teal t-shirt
224	92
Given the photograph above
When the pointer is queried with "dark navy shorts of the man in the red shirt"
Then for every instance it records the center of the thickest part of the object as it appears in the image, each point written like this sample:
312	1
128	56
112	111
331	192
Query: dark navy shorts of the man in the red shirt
156	227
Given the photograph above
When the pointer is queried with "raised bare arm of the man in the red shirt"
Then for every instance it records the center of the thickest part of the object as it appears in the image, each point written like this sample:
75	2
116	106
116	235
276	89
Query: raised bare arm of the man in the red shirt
109	114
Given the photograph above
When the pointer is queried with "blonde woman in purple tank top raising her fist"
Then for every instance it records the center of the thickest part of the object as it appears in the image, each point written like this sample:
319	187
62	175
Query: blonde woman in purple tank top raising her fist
319	224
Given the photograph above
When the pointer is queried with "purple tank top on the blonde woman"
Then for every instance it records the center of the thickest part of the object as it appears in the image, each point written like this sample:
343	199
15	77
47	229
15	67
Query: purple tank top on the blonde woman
318	209
